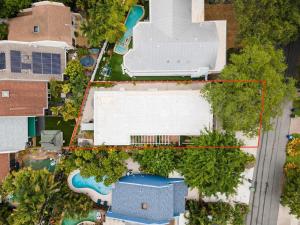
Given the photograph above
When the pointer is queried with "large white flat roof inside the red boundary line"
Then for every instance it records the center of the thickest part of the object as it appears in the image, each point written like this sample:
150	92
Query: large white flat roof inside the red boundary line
120	114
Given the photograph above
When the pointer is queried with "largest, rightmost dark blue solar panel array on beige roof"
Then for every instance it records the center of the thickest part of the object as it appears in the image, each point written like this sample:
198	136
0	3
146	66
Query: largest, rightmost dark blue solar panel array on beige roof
46	63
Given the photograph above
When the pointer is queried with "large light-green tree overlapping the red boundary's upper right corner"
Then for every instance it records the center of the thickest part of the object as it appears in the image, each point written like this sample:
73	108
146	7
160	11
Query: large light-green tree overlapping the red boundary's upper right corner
237	104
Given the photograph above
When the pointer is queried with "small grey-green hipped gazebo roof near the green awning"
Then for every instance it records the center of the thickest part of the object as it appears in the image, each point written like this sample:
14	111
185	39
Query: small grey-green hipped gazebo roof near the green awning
51	140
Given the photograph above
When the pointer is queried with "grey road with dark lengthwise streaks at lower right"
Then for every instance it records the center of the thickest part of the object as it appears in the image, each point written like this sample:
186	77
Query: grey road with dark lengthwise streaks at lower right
268	174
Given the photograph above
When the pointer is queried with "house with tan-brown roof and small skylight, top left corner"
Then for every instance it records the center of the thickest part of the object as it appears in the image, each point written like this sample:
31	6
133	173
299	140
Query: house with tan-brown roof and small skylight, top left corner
45	21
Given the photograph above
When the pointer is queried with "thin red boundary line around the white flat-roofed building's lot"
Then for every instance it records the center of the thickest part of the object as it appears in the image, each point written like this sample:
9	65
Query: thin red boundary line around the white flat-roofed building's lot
129	147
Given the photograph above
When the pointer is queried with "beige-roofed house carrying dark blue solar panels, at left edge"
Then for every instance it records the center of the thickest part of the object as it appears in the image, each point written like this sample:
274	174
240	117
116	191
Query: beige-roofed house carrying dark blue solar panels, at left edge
32	61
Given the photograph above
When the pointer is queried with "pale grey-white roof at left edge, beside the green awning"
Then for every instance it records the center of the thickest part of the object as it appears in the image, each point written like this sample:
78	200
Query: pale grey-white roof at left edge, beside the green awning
13	134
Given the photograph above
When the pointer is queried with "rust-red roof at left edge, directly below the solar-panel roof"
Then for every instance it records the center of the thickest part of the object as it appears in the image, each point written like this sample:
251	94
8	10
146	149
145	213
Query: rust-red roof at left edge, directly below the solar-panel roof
24	98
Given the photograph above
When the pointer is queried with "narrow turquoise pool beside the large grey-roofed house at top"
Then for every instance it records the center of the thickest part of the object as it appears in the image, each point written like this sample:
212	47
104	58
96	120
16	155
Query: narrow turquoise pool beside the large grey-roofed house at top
136	13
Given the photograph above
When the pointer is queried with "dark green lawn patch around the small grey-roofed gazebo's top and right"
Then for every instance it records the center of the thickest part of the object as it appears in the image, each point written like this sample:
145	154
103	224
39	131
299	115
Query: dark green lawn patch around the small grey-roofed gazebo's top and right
57	123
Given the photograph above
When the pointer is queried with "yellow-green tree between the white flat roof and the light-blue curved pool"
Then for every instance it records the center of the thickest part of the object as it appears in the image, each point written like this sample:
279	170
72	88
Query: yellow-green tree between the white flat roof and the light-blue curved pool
105	165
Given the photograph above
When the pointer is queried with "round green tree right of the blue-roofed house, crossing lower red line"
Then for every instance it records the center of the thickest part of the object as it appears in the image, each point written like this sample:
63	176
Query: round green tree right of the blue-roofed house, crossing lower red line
214	170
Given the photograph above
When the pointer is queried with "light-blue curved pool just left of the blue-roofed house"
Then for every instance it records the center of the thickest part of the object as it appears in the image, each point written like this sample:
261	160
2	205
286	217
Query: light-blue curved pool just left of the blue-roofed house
80	182
